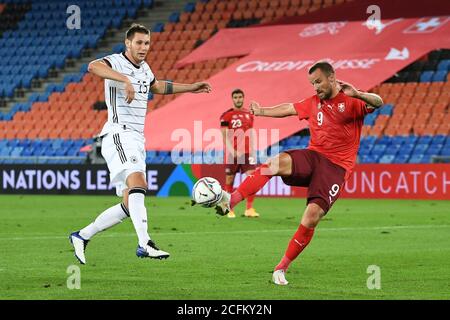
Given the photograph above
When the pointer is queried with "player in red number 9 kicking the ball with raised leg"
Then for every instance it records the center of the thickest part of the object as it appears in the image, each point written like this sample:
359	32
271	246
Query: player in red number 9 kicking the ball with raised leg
335	115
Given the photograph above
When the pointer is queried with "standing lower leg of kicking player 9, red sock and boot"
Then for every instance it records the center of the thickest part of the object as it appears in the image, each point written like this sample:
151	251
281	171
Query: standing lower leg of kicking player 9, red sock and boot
299	241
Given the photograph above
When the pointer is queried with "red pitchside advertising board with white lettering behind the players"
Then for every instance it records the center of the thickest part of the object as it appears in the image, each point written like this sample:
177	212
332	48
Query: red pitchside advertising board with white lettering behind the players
368	181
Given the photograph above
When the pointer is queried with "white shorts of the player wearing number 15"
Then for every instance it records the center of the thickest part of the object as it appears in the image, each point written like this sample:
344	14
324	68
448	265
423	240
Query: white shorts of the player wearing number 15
124	152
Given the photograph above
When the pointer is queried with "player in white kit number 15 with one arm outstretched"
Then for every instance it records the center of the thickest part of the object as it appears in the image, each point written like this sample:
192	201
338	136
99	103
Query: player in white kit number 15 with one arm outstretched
128	79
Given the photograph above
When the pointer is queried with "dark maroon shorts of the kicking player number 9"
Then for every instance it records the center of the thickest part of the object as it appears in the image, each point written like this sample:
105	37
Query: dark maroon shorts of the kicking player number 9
323	178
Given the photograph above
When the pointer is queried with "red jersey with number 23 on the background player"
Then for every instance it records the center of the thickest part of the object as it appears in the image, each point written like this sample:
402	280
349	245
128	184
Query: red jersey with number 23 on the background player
238	122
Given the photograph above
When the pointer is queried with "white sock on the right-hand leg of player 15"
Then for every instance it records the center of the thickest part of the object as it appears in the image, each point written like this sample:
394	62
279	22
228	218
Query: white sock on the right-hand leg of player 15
138	214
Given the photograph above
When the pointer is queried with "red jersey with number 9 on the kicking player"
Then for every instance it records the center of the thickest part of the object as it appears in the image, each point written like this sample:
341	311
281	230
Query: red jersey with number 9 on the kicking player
335	126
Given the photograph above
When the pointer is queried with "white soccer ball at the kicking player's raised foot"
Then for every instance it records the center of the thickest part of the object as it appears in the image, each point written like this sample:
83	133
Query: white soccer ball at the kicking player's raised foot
207	192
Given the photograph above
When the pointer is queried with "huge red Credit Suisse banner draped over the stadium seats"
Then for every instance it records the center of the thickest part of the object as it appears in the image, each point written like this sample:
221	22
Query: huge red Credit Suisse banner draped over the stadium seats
274	69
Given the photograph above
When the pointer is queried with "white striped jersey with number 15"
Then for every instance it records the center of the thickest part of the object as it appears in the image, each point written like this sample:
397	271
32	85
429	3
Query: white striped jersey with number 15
120	113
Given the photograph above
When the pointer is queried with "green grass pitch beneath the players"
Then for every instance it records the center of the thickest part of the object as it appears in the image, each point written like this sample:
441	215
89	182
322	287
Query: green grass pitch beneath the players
220	258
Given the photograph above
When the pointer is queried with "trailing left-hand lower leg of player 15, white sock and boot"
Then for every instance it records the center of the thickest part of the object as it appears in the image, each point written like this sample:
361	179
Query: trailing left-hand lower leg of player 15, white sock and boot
105	220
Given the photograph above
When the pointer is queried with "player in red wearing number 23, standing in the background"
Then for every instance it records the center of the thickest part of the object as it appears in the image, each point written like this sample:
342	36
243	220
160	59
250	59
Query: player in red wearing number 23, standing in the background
236	124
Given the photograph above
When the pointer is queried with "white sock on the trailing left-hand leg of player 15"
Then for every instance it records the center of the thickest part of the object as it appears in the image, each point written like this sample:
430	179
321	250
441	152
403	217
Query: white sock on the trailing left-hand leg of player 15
108	218
